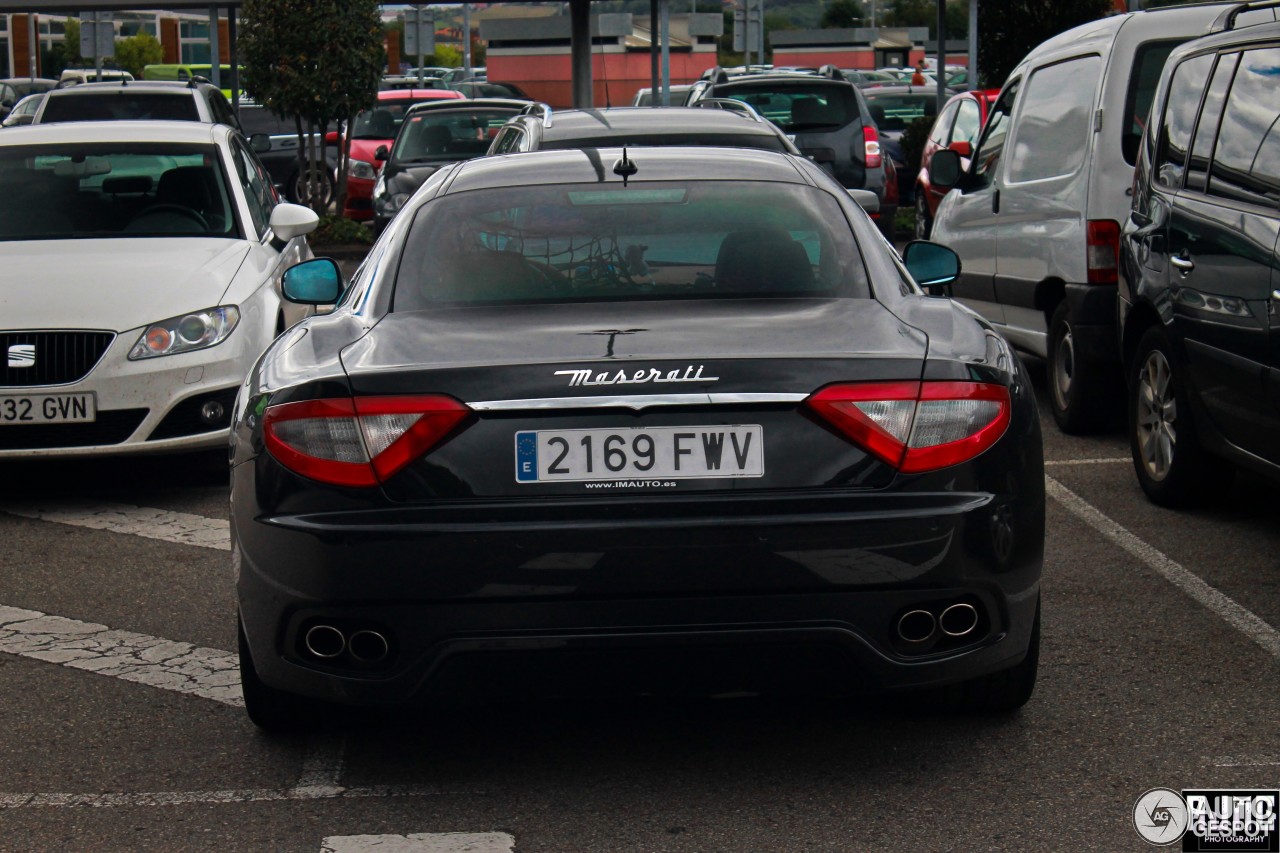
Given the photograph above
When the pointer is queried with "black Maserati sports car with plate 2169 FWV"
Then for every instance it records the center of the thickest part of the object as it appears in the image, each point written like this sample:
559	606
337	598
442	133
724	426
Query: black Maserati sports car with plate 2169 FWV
761	457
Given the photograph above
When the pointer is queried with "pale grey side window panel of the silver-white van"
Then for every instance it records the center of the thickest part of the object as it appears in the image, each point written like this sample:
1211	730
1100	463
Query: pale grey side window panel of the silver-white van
1057	121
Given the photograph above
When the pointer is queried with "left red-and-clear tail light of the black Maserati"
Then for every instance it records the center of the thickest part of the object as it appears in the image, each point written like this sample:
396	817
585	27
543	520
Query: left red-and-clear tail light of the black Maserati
362	441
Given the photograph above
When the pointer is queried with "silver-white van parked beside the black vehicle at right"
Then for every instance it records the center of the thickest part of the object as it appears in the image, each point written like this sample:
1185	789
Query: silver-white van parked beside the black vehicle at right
1036	220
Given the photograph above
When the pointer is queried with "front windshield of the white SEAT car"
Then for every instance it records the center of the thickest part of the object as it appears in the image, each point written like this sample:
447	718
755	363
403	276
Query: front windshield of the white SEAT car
113	190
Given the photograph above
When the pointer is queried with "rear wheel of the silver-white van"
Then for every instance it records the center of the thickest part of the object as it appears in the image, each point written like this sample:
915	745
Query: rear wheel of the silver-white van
1084	396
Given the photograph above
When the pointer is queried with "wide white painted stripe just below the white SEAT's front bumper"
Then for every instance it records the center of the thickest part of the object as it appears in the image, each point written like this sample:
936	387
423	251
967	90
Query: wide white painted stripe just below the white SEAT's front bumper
184	528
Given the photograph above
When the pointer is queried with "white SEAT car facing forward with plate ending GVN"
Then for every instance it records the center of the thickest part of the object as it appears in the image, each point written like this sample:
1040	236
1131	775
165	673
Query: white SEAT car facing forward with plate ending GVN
140	270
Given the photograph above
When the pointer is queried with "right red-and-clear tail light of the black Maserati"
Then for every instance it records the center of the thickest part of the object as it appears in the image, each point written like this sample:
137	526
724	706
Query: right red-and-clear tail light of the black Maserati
917	427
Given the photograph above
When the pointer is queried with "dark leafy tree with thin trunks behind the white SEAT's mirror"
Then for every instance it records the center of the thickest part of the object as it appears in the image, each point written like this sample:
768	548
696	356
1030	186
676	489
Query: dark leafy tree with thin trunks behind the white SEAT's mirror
316	61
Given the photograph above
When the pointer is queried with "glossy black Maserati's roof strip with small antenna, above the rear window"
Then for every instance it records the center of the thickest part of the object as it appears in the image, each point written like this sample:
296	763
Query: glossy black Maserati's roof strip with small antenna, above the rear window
596	166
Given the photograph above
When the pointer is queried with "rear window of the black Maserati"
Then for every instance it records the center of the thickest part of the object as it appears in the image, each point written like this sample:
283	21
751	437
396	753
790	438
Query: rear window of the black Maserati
647	241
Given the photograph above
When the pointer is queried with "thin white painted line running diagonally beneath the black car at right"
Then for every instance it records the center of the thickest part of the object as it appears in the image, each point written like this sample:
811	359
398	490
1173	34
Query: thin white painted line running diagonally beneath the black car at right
1240	618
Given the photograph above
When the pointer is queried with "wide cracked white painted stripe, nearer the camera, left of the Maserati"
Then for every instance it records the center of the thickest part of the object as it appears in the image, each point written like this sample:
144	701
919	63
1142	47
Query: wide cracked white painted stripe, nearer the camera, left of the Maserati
157	663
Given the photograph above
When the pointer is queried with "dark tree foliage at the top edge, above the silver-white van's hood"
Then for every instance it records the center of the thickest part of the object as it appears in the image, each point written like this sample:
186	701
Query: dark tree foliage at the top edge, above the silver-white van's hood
1009	29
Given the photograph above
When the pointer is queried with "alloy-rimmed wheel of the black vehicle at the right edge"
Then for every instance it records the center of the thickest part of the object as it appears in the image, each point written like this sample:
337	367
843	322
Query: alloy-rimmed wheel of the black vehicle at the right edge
1172	466
